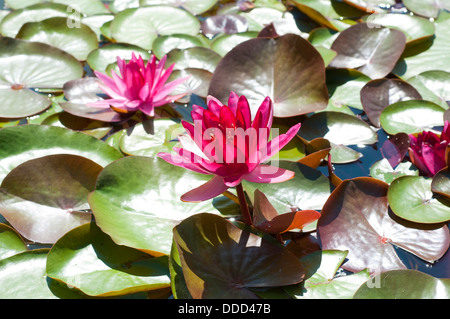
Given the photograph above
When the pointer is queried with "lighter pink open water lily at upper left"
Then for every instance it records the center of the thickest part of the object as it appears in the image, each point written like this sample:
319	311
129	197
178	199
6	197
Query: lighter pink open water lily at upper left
141	86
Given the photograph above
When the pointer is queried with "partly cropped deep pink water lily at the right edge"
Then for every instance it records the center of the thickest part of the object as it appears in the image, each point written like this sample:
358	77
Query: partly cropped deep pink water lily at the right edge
427	150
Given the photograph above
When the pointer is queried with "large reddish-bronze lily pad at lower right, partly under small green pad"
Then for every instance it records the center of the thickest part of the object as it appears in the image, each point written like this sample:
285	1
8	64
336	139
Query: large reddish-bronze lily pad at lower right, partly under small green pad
356	218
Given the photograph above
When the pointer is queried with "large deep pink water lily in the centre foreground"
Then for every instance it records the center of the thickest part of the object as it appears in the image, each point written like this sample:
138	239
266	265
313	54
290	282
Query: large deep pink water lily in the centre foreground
226	143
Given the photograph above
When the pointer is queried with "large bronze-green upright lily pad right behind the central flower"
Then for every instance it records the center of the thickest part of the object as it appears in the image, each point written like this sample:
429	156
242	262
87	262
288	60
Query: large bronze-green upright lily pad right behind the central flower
288	69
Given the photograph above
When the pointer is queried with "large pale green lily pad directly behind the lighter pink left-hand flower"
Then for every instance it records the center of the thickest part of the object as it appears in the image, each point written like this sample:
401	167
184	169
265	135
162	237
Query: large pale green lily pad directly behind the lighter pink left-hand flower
149	22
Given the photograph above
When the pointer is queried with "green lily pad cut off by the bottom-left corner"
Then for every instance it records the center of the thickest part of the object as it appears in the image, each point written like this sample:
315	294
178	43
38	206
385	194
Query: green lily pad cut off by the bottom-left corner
23	276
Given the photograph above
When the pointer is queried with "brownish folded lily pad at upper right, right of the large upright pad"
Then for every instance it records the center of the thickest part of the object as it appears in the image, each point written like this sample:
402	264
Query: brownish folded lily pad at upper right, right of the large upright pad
373	51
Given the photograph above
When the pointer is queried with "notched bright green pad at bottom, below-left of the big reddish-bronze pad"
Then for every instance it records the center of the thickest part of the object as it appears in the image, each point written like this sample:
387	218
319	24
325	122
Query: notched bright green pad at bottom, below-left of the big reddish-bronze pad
320	281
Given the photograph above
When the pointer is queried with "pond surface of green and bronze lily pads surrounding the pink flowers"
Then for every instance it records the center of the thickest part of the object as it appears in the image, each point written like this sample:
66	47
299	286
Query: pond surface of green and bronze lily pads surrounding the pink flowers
88	209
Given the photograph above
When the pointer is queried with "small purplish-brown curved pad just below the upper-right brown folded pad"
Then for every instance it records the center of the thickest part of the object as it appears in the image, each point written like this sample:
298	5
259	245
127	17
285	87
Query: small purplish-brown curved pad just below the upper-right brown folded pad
376	95
